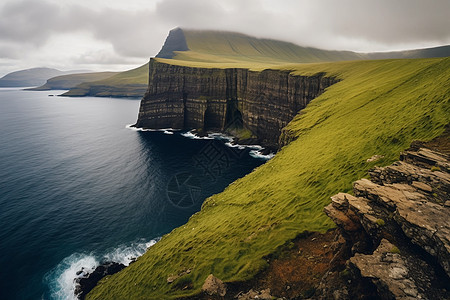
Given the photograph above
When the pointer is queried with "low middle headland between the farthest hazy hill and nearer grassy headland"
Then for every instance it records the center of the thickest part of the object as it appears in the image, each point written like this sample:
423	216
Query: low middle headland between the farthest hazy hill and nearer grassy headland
66	82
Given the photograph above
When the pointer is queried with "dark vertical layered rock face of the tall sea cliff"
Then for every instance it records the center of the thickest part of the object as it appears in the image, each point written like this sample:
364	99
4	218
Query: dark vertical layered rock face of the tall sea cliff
220	99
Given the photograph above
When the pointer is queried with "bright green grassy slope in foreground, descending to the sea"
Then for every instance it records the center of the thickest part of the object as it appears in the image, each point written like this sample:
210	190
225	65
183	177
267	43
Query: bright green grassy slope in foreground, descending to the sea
379	107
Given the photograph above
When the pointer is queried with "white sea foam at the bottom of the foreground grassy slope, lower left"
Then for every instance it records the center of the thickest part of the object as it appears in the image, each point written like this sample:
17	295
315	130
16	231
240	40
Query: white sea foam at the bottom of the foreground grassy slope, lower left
61	279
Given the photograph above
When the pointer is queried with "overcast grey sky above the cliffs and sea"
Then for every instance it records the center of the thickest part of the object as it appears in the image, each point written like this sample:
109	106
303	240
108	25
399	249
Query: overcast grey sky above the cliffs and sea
121	34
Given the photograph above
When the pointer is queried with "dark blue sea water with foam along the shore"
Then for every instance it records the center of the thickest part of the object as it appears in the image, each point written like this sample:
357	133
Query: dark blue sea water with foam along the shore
78	187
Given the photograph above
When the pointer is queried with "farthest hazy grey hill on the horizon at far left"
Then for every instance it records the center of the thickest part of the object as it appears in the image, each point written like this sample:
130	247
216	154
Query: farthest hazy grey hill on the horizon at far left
31	77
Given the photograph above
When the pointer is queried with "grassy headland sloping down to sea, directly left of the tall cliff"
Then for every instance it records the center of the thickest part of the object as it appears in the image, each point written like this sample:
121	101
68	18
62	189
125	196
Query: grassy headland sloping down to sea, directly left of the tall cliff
132	83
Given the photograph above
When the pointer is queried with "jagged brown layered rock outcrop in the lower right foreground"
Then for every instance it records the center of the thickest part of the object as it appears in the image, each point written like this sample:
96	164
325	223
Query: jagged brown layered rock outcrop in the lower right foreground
397	227
